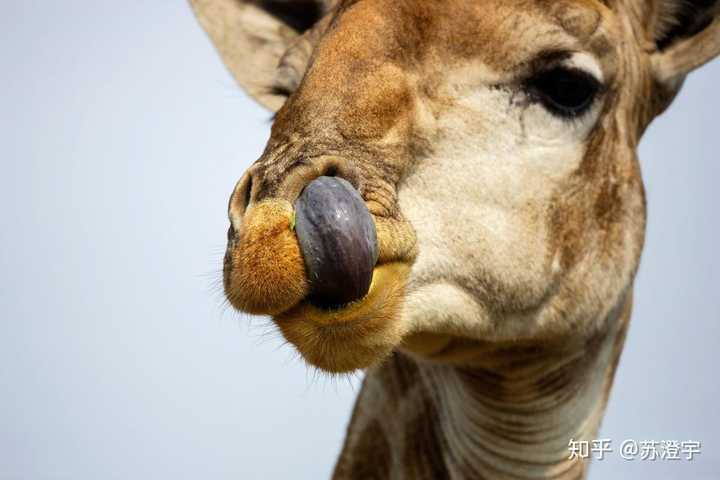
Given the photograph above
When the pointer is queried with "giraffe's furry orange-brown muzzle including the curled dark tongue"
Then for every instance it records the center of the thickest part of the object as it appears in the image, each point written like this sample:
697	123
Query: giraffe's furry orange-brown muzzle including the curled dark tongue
329	265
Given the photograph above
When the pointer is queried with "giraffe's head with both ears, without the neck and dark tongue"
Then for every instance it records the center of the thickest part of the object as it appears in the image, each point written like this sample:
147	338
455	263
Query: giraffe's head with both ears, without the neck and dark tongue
492	141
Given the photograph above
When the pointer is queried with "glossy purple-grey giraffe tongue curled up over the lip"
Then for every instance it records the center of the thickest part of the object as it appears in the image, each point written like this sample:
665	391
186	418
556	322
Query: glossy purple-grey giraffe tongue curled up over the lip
338	241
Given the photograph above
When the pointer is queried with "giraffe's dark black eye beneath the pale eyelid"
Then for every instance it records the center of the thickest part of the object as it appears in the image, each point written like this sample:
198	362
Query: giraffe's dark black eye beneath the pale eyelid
563	91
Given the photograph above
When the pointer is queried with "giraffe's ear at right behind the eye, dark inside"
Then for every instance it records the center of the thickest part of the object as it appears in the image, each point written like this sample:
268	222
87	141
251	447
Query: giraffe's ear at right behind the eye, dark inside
687	35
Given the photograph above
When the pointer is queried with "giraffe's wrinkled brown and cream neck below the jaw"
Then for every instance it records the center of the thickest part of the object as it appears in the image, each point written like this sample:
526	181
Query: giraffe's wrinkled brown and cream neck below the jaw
508	413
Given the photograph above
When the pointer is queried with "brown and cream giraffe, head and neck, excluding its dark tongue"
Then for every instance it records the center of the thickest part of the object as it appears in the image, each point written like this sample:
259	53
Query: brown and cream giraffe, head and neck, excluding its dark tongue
494	144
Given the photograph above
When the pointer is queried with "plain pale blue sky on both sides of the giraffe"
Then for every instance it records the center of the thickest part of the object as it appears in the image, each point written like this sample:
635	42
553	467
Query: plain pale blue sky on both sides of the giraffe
122	136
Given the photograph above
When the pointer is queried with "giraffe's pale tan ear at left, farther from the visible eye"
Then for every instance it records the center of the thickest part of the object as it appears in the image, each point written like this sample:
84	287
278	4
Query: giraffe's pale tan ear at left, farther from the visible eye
252	36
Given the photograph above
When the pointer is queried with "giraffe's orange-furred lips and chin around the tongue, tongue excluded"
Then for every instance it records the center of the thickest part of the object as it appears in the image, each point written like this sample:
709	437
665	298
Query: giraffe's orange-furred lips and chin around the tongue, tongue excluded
265	273
